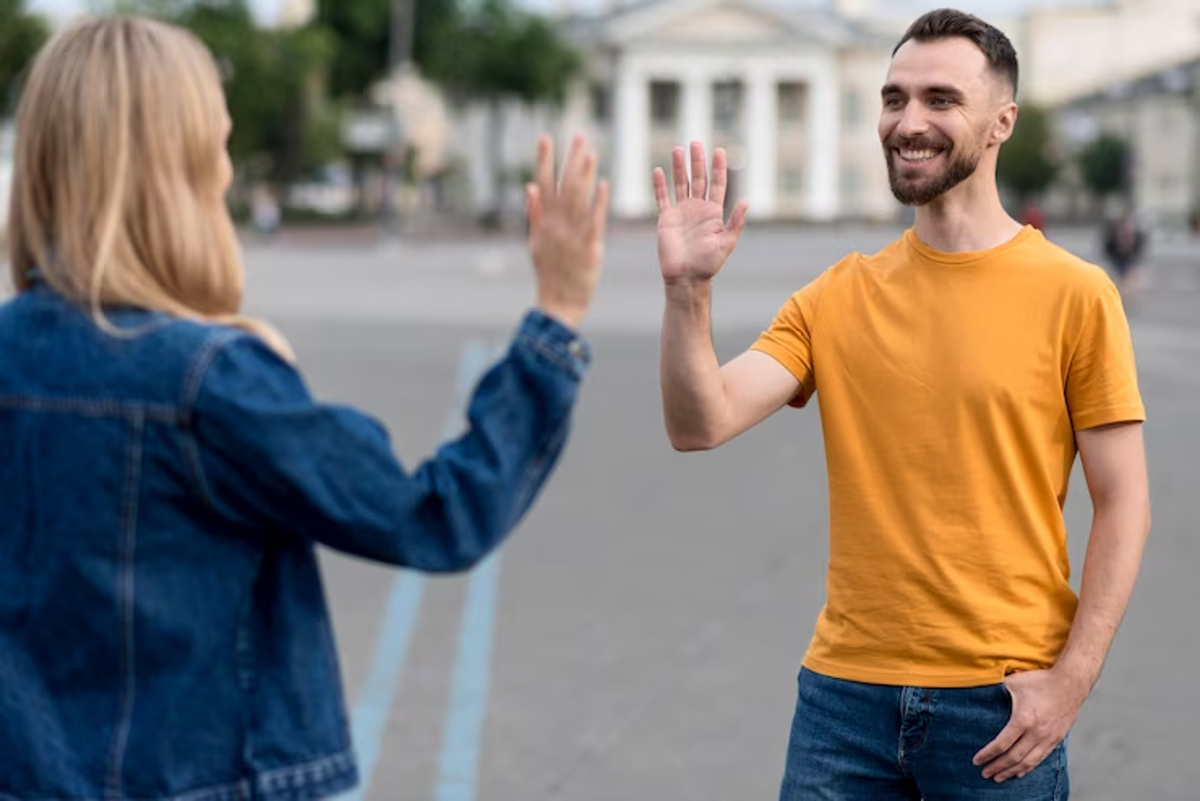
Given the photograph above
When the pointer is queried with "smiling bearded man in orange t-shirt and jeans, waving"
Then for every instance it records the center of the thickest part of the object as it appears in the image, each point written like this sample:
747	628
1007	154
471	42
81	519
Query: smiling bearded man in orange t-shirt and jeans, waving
959	371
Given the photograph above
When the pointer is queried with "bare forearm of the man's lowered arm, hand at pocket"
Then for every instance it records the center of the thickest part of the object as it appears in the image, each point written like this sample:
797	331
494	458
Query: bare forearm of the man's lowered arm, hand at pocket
1111	570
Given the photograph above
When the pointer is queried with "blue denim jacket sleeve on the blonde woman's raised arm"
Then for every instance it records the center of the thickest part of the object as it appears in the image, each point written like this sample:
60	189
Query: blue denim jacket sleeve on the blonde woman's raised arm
267	455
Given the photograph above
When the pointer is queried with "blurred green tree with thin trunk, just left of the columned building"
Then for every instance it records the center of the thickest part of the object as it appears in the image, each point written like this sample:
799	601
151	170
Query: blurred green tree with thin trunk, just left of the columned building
503	53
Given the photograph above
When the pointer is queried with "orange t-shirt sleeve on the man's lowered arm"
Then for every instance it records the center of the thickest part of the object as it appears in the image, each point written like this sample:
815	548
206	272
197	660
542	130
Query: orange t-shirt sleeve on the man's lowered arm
1102	381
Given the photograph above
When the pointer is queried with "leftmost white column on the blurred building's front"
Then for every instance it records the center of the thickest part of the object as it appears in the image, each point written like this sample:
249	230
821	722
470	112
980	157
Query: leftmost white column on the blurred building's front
631	146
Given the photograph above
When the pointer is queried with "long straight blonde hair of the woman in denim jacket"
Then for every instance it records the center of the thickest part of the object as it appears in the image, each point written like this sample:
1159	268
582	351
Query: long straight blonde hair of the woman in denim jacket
117	190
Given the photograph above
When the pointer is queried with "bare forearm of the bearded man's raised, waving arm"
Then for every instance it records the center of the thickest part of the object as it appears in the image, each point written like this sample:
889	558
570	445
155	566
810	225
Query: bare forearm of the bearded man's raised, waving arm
694	400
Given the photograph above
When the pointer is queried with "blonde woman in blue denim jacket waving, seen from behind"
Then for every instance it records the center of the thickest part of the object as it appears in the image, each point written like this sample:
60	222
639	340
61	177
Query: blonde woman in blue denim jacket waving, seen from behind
165	473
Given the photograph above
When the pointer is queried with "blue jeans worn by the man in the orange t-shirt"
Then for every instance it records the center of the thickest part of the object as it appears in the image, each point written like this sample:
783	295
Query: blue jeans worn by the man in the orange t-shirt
873	743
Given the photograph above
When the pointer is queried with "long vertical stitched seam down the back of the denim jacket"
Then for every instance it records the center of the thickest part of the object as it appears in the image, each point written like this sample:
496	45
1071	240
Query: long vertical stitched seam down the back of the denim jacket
125	594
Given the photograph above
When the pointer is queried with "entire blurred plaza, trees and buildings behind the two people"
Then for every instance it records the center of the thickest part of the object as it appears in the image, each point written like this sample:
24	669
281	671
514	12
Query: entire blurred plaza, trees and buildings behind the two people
640	635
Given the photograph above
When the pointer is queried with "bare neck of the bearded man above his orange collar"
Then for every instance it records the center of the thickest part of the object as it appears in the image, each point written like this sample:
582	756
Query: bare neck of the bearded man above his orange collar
968	219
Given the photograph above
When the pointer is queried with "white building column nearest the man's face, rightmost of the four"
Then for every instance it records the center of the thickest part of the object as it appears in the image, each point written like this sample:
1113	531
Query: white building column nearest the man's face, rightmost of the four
825	147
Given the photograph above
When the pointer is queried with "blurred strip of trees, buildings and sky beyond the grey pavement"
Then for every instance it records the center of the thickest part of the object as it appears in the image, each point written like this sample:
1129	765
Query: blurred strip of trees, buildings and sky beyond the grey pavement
422	112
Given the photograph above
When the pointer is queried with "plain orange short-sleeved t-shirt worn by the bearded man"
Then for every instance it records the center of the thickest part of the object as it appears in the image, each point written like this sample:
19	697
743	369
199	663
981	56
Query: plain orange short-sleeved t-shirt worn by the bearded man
951	387
